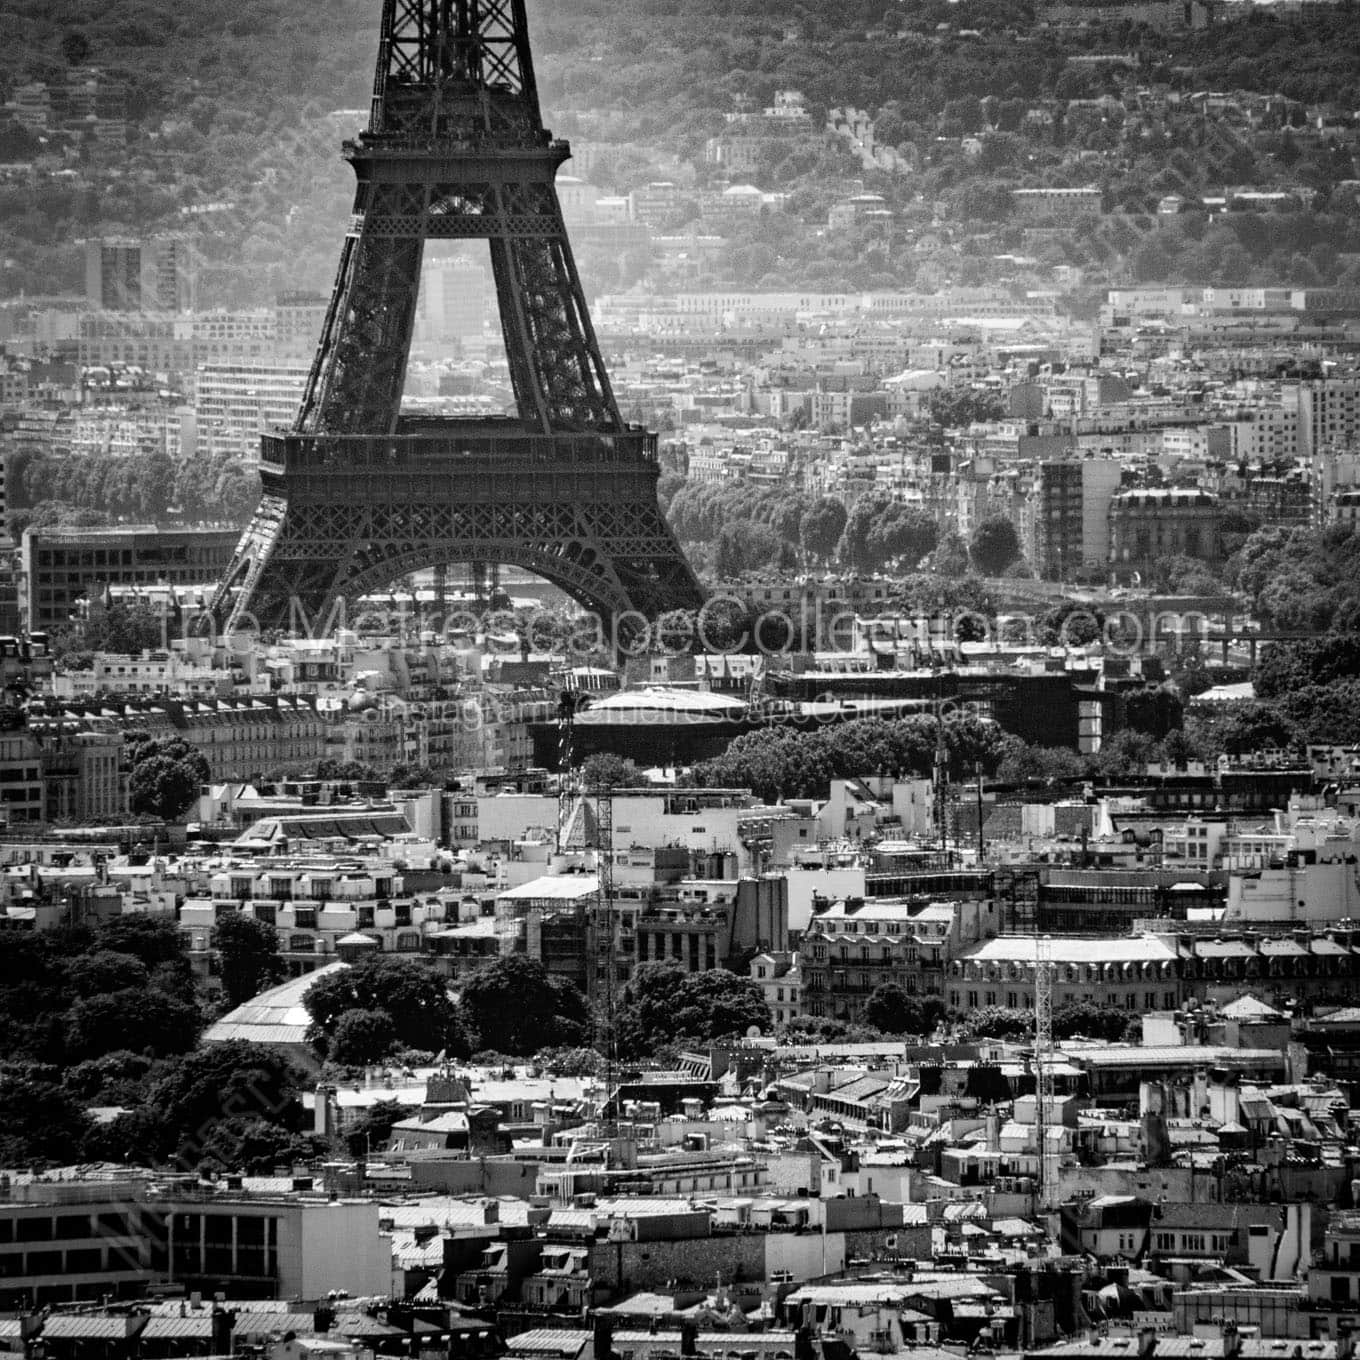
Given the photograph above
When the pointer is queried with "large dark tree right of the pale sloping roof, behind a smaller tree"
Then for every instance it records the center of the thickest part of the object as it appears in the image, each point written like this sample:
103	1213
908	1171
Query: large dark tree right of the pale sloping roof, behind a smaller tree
413	993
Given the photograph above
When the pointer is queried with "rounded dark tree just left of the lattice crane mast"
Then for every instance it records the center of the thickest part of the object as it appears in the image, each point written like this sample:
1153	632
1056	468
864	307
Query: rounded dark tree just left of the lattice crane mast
515	1006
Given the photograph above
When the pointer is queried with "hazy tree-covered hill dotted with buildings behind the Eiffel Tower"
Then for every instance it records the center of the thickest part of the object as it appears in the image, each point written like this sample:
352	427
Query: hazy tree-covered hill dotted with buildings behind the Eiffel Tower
233	104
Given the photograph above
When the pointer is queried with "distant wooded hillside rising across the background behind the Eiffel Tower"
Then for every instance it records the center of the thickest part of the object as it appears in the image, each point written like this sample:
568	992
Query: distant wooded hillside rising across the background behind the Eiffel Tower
236	115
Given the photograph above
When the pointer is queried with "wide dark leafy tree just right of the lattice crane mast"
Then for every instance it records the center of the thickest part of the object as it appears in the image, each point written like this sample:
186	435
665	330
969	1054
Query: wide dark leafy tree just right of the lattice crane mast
663	1004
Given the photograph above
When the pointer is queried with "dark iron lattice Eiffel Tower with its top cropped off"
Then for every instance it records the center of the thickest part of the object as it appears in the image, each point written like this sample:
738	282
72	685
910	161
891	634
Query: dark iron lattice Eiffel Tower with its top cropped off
357	496
